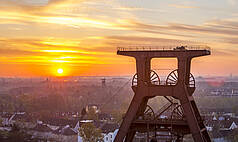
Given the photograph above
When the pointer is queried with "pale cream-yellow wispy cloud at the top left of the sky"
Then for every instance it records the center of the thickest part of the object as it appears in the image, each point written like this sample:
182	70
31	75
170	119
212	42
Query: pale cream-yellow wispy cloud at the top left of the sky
54	12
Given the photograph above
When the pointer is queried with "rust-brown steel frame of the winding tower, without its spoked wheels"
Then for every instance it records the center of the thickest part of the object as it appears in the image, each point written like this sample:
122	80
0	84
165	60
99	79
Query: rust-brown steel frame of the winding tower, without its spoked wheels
145	89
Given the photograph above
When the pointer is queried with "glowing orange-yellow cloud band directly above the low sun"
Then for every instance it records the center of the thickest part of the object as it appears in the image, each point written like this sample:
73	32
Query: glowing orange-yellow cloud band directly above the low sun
39	51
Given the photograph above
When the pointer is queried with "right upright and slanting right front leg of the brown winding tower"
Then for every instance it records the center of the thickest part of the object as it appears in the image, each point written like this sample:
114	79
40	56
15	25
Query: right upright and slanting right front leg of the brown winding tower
190	109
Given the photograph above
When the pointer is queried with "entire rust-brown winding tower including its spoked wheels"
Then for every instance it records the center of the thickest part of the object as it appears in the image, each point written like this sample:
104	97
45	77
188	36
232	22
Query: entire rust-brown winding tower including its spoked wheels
180	86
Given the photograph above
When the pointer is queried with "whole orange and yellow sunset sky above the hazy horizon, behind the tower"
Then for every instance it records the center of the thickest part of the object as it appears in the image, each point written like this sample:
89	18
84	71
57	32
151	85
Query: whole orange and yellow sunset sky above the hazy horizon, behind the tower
39	36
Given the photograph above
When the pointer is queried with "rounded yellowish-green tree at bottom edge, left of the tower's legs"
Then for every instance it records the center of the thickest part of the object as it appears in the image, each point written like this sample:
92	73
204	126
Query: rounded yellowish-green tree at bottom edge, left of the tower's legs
90	133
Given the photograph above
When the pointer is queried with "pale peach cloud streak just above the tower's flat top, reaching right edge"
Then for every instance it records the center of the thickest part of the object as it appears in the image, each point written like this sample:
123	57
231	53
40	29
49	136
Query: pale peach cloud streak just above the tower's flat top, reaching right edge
218	29
